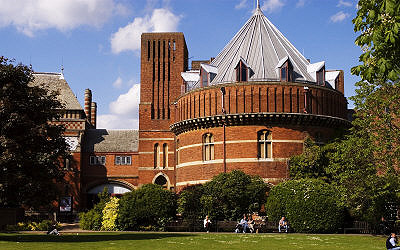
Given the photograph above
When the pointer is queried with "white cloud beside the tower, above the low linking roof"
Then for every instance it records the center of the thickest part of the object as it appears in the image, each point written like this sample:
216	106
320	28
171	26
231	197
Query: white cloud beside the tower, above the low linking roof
124	111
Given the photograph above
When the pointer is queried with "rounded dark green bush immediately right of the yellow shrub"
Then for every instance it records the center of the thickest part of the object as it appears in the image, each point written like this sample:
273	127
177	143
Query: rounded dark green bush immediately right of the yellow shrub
147	208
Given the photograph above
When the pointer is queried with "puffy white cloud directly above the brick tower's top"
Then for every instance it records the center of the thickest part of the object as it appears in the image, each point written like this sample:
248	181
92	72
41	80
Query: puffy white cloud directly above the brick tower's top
128	38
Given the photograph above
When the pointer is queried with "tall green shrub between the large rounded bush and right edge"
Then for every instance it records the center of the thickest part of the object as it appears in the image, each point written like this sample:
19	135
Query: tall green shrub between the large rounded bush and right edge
365	189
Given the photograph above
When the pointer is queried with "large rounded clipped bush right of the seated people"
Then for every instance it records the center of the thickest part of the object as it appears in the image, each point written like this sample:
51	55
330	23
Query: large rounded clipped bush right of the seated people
310	205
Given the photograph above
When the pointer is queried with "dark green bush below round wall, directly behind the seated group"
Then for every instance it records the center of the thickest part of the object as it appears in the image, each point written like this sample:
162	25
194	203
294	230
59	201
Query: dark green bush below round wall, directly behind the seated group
230	195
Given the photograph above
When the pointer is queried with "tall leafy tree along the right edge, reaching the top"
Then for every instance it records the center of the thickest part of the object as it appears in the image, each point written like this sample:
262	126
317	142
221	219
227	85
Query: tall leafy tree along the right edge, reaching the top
377	98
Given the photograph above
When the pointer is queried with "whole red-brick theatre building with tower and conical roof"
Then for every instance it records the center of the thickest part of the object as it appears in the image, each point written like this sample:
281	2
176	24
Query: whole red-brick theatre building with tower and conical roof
249	108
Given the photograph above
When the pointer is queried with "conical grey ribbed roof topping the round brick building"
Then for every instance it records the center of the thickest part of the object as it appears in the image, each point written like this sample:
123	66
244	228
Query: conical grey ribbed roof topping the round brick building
262	47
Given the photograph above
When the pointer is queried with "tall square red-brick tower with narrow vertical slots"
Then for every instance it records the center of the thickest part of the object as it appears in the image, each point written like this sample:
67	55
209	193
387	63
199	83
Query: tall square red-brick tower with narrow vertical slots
163	57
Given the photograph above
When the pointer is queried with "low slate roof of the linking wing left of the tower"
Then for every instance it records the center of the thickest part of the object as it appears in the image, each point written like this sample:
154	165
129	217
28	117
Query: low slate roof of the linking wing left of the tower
103	140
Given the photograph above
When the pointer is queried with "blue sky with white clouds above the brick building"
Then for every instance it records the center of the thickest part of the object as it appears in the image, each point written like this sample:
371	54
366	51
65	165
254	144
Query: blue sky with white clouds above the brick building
98	41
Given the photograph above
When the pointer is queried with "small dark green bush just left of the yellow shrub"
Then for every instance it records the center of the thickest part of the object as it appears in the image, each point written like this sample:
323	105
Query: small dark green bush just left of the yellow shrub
92	220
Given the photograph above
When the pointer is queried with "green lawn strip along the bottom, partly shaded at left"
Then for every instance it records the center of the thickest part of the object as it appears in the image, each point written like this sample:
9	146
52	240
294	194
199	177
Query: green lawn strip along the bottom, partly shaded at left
191	241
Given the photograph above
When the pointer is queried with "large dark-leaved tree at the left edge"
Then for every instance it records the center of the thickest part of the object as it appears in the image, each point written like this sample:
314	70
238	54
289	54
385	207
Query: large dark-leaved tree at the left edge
30	146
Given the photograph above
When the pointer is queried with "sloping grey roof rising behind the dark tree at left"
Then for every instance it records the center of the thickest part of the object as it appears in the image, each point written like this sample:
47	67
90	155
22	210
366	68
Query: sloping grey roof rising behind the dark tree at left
56	82
